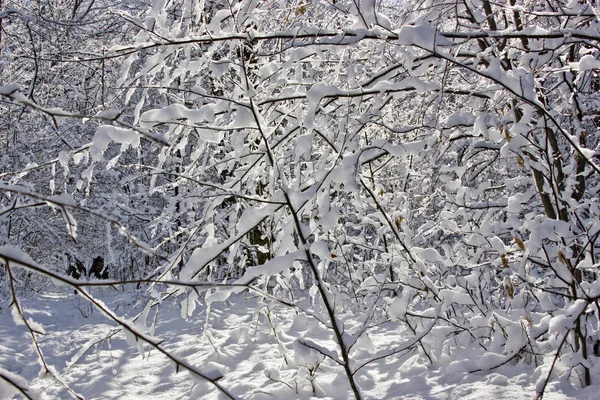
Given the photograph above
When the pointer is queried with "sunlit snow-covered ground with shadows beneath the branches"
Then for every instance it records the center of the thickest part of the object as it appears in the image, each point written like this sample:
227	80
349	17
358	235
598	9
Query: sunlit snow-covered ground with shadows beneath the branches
98	363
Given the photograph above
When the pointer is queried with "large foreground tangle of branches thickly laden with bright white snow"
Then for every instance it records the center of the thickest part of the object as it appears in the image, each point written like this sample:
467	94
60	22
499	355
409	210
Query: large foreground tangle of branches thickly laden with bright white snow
426	165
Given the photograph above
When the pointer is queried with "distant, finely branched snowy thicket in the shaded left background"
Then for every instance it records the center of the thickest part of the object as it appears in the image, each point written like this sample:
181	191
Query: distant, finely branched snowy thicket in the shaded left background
55	52
